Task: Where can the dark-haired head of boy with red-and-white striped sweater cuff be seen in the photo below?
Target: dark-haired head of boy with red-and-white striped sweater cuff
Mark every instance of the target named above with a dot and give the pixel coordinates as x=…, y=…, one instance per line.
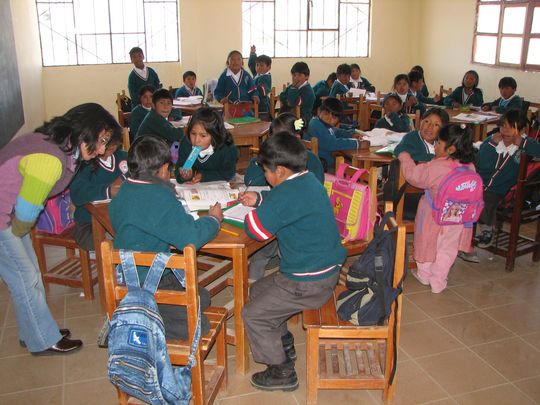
x=280, y=156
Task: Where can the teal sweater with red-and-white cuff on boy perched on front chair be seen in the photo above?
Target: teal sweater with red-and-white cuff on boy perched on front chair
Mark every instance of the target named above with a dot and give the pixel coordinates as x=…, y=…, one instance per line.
x=299, y=214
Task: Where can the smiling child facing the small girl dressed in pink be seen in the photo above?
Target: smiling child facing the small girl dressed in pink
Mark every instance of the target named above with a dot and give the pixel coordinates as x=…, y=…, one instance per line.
x=420, y=144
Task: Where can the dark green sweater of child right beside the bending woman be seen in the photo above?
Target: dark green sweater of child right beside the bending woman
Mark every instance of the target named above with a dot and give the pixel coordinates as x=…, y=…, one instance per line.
x=92, y=183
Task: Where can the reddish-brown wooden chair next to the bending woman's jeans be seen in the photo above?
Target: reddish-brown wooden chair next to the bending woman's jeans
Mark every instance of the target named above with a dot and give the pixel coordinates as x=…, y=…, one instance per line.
x=74, y=271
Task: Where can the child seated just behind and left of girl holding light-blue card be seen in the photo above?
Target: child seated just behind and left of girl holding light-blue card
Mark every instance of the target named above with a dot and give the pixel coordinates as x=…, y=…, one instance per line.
x=156, y=121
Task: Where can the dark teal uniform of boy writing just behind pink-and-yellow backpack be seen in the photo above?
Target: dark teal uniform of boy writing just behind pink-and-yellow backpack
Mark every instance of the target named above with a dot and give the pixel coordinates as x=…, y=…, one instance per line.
x=330, y=139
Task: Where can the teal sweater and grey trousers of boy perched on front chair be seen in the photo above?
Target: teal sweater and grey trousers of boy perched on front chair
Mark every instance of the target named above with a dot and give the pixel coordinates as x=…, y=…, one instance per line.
x=311, y=256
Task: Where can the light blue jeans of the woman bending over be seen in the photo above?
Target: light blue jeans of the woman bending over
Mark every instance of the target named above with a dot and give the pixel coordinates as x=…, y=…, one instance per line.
x=19, y=270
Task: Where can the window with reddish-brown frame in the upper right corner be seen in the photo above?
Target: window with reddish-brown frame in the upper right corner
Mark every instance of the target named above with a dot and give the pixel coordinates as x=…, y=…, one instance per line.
x=508, y=34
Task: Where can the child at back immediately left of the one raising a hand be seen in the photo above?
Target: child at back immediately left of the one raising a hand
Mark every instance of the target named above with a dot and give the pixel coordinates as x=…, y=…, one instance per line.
x=235, y=85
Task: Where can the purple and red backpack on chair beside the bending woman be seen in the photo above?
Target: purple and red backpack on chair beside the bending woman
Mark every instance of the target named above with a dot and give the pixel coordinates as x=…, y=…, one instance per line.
x=57, y=215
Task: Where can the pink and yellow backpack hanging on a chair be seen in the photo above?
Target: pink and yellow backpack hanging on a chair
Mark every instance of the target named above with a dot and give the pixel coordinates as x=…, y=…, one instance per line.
x=350, y=202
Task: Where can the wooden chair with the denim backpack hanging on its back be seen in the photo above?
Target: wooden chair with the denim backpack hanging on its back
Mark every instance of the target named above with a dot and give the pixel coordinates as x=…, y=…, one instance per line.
x=206, y=378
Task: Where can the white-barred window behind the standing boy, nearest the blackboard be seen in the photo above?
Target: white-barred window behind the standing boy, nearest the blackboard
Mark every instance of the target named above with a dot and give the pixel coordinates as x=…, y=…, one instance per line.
x=83, y=32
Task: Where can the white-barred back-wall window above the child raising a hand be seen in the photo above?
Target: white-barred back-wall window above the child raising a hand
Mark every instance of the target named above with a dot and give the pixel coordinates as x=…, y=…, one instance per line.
x=306, y=28
